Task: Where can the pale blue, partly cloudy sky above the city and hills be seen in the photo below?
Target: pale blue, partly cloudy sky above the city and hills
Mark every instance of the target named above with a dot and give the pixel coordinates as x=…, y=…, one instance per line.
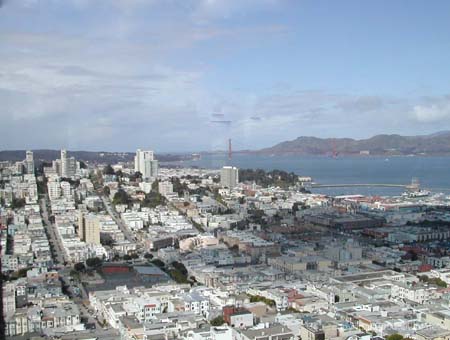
x=186, y=75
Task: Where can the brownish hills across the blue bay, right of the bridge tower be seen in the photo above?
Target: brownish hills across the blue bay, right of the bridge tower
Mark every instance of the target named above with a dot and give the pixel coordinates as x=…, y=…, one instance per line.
x=434, y=144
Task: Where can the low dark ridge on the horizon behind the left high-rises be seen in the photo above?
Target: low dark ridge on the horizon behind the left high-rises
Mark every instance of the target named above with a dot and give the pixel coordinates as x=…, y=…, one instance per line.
x=87, y=156
